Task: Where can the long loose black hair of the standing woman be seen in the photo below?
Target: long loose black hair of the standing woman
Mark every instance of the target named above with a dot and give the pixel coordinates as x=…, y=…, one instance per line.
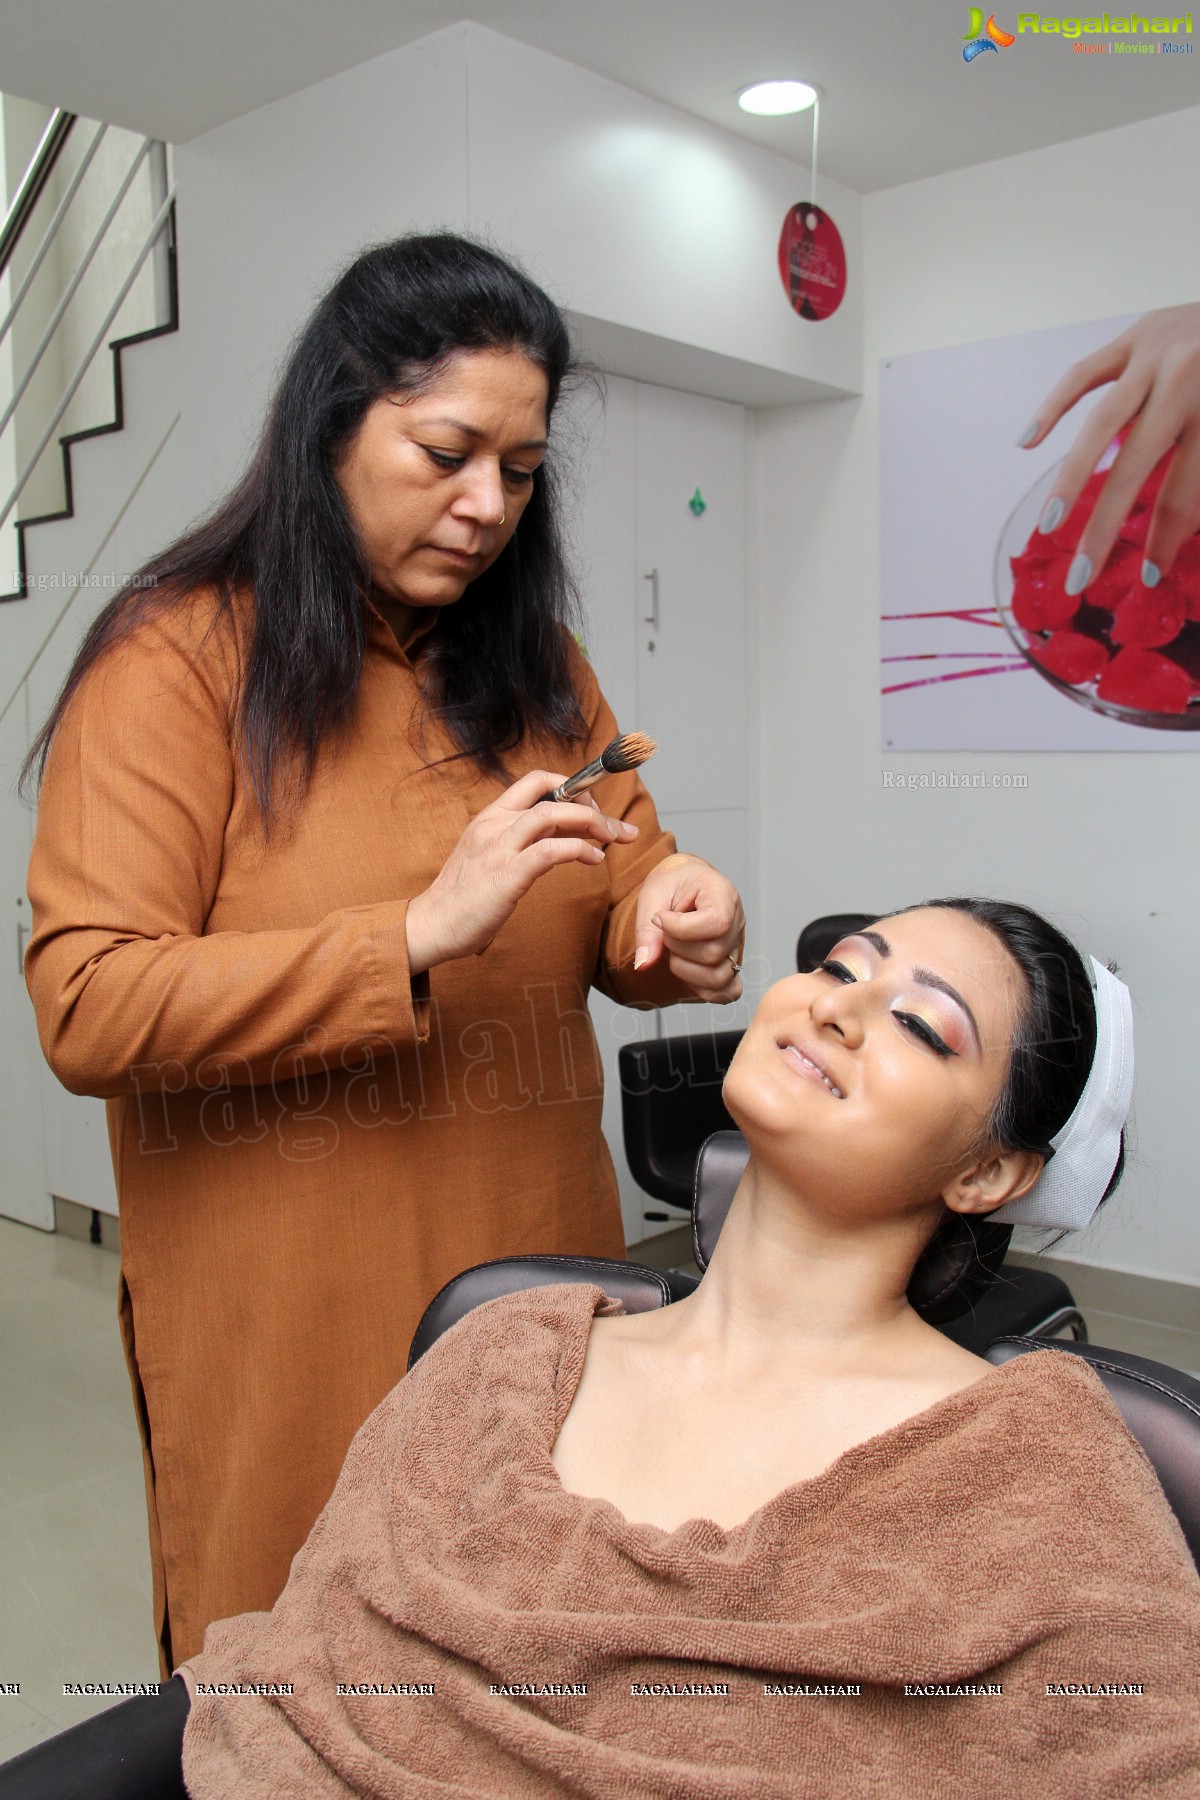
x=497, y=669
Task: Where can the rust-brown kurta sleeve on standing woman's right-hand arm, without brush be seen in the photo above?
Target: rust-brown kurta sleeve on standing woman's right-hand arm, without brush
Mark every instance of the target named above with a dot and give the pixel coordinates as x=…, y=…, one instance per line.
x=629, y=865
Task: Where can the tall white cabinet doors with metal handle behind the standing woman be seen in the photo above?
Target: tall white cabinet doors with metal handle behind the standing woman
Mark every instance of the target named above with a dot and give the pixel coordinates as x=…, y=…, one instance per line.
x=667, y=633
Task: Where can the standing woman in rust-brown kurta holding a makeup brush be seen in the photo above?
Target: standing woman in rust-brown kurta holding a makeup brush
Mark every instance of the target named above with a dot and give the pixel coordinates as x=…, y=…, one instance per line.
x=303, y=919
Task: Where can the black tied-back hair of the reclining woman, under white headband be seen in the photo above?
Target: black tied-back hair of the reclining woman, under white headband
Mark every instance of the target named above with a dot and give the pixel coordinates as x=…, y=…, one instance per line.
x=1050, y=1063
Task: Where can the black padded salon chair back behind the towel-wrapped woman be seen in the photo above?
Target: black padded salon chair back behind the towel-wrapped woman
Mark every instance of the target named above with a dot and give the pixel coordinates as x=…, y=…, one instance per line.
x=1160, y=1405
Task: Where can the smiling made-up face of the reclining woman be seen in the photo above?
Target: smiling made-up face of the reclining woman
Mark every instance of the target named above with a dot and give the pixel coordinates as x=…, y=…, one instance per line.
x=870, y=1081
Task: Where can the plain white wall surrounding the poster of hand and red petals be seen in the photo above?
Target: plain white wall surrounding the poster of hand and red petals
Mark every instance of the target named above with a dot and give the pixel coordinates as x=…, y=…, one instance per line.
x=1106, y=843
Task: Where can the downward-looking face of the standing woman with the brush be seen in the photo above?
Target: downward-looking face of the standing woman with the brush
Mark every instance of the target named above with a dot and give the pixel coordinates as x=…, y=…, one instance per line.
x=436, y=481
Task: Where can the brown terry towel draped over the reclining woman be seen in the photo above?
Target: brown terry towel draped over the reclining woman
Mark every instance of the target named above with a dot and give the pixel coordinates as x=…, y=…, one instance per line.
x=1014, y=1534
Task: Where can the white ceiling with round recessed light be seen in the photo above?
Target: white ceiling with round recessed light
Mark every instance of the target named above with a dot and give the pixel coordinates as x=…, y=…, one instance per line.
x=899, y=100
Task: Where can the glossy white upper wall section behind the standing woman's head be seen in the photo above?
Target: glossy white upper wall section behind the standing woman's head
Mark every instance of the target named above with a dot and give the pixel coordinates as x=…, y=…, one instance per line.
x=656, y=229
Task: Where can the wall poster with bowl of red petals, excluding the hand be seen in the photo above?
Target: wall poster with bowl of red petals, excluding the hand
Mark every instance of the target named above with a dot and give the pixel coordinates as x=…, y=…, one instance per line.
x=981, y=647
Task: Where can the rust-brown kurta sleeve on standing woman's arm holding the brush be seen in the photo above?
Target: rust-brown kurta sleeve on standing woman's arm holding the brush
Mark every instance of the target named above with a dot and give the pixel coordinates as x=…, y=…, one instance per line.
x=138, y=795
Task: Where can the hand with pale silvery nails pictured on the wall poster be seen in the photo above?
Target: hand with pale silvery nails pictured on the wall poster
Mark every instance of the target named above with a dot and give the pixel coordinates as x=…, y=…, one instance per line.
x=1154, y=370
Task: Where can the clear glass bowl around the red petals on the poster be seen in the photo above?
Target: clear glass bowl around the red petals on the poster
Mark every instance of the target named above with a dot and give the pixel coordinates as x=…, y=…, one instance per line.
x=1093, y=622
